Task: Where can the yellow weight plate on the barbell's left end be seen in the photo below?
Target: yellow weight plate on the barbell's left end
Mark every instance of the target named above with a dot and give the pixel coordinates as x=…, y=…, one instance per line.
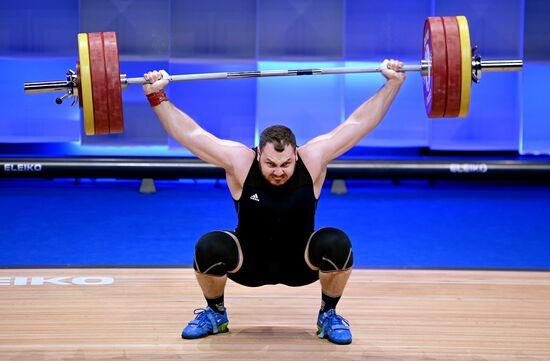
x=86, y=84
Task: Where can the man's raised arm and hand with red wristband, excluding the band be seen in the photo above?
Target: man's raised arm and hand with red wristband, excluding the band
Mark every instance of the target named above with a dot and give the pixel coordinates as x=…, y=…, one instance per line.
x=206, y=146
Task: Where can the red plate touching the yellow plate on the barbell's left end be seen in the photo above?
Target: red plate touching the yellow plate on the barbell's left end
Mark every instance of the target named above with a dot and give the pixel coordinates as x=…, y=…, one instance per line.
x=99, y=83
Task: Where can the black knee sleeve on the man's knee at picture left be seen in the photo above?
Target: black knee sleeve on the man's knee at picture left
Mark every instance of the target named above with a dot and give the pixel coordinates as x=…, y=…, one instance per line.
x=216, y=253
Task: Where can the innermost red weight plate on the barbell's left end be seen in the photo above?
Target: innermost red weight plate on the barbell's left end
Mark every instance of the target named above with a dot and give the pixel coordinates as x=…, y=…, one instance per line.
x=114, y=90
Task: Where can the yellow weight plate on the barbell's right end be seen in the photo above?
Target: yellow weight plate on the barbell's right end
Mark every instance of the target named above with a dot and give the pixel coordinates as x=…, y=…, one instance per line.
x=466, y=54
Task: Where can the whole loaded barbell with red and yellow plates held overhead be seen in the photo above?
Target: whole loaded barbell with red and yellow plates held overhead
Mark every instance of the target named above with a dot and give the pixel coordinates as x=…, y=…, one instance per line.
x=448, y=67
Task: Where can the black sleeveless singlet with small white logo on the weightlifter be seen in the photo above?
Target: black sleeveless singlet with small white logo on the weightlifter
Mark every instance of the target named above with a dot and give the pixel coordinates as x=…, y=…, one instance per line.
x=275, y=223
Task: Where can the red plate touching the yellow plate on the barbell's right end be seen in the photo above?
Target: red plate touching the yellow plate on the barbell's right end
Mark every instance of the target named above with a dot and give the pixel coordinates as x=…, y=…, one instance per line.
x=454, y=66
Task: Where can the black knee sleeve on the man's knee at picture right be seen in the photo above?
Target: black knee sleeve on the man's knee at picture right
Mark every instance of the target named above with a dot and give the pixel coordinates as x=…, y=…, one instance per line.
x=329, y=249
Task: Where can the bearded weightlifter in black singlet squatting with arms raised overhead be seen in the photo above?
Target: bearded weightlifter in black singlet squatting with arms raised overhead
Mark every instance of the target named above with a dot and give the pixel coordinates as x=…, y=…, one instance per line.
x=275, y=187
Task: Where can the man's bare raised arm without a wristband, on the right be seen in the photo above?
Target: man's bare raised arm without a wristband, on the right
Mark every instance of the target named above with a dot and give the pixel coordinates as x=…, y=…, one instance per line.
x=364, y=119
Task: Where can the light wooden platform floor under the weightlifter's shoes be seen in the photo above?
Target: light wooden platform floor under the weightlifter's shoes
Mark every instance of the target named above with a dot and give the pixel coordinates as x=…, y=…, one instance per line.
x=394, y=315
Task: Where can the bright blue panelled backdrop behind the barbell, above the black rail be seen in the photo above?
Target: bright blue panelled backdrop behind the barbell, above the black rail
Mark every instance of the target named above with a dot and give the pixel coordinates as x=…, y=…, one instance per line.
x=38, y=42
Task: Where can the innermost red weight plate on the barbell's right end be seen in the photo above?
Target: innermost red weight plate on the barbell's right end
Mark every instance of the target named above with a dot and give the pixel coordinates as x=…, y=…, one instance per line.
x=435, y=82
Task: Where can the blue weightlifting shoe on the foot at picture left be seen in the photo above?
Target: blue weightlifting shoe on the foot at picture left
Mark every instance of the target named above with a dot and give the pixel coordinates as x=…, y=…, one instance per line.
x=207, y=322
